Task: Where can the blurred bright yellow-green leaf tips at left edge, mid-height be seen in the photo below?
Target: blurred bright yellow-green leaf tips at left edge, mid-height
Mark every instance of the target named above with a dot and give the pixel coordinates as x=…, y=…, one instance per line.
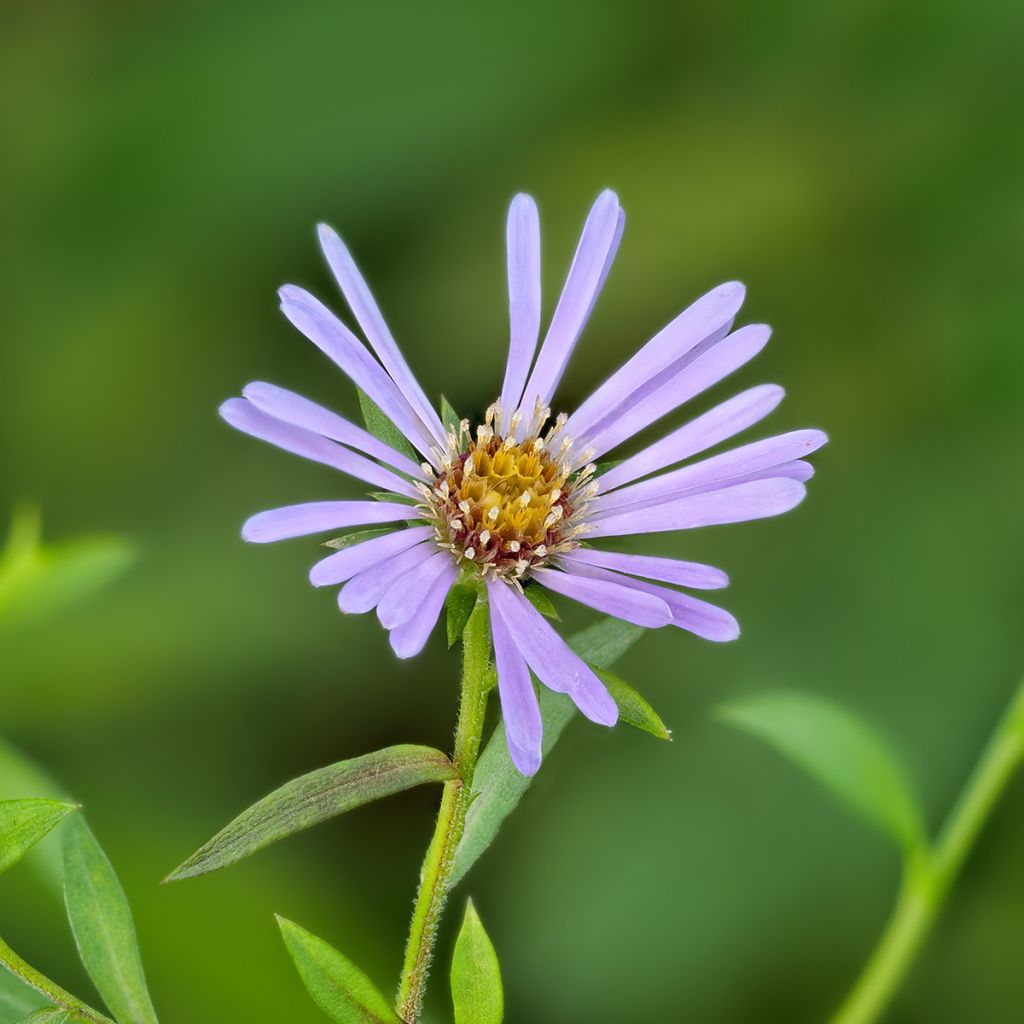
x=38, y=581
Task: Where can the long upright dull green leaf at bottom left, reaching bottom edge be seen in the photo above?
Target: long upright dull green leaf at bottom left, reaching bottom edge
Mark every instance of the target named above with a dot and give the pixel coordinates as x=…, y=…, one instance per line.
x=102, y=923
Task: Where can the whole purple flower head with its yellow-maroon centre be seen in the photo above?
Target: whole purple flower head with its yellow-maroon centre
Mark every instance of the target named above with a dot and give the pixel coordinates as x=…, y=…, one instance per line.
x=521, y=501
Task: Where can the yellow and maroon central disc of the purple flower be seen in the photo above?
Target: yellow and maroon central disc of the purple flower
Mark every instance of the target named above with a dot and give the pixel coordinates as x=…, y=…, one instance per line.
x=503, y=504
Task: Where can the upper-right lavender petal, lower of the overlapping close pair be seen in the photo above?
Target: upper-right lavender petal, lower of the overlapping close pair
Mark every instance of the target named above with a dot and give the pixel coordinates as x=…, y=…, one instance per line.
x=660, y=397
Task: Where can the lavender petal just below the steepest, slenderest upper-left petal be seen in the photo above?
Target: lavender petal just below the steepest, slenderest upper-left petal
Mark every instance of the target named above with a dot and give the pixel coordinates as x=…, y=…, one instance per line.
x=331, y=336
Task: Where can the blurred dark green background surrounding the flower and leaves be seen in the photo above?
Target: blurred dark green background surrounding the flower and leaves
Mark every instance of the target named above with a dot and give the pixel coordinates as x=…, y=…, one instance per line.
x=859, y=165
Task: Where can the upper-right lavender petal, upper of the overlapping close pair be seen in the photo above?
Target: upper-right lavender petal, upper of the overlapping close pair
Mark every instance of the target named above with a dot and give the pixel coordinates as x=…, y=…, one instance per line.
x=703, y=319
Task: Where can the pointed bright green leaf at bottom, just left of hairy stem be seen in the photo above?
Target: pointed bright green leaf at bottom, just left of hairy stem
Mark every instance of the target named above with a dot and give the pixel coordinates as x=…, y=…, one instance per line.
x=336, y=985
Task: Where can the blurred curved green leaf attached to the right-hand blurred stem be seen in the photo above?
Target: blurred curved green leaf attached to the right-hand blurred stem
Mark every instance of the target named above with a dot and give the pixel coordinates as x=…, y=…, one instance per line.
x=839, y=749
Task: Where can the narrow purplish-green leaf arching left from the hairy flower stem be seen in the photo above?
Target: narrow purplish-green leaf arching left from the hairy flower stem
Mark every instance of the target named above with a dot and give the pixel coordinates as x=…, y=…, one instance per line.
x=321, y=795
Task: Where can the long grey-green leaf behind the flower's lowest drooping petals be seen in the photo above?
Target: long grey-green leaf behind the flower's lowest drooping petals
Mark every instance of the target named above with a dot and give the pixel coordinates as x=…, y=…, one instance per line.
x=498, y=788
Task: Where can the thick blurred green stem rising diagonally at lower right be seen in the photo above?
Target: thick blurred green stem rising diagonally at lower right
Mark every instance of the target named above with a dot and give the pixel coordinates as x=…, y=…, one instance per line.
x=929, y=877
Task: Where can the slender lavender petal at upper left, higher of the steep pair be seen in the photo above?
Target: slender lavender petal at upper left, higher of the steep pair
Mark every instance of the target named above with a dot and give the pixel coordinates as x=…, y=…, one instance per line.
x=368, y=315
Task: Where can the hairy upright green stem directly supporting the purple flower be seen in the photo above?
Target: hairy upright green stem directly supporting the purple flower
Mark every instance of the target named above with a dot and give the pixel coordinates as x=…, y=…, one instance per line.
x=436, y=875
